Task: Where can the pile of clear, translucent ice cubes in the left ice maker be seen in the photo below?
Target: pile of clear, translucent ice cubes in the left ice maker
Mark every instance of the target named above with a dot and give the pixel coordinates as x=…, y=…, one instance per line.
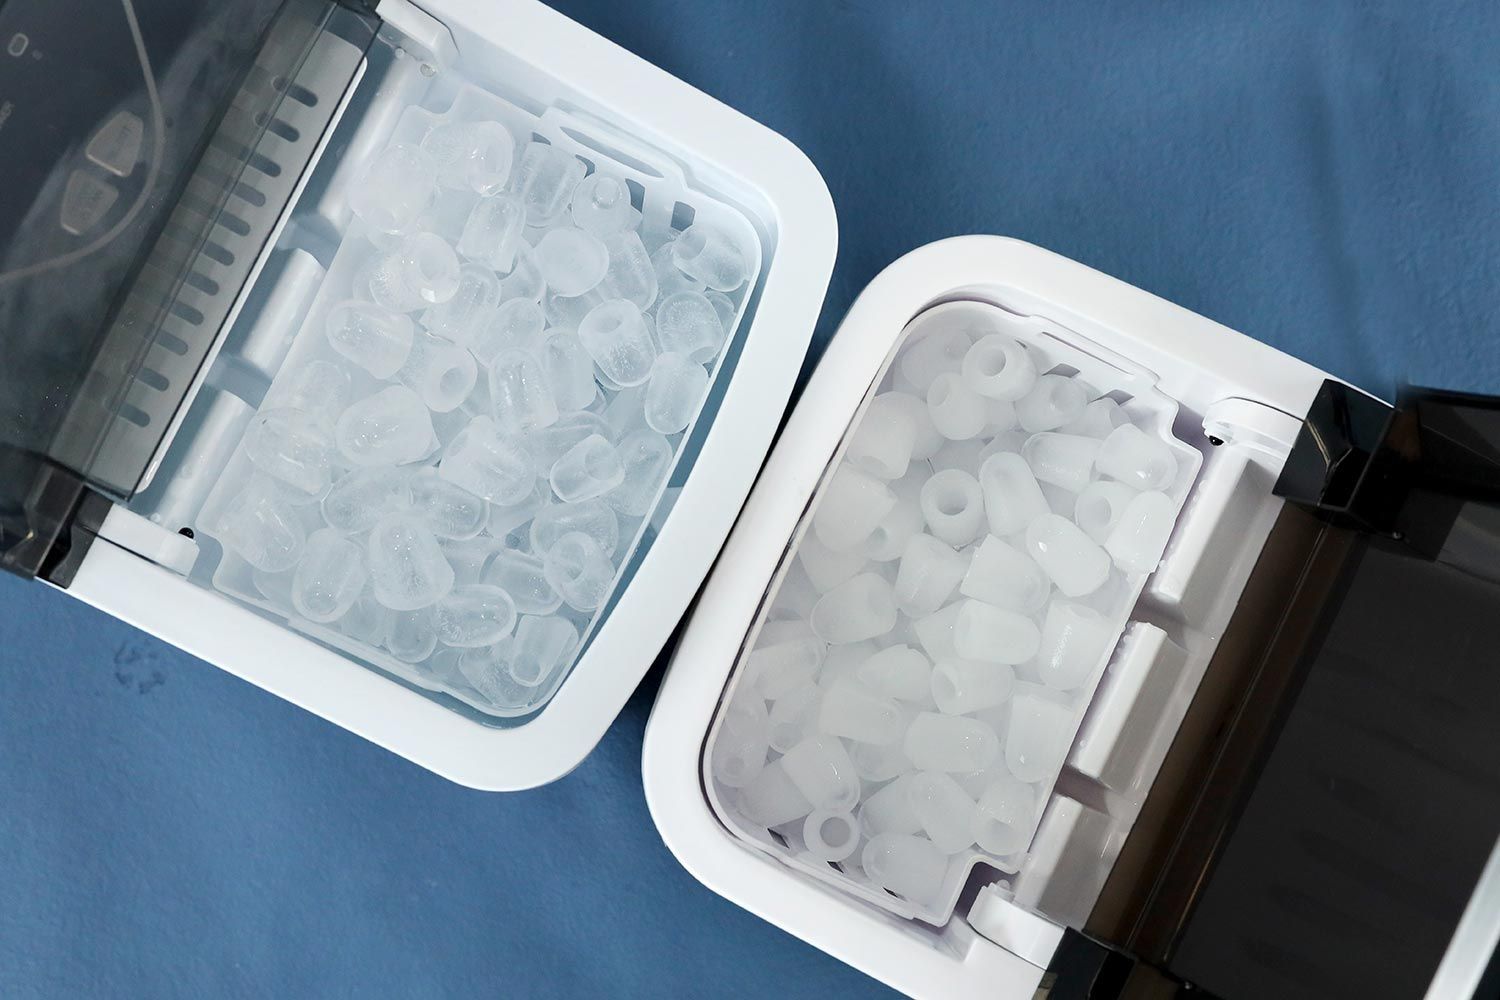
x=461, y=479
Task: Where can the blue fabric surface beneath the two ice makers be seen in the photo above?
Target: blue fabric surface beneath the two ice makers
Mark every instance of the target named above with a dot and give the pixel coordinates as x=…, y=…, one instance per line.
x=1322, y=176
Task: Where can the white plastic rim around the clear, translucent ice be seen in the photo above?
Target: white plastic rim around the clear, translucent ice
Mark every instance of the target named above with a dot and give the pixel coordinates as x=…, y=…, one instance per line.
x=536, y=46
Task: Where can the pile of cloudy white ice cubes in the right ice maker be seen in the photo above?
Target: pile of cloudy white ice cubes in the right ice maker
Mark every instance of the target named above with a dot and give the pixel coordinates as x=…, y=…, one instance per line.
x=929, y=654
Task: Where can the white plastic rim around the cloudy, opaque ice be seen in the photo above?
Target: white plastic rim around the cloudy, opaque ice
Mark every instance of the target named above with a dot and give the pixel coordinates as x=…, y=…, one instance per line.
x=1195, y=361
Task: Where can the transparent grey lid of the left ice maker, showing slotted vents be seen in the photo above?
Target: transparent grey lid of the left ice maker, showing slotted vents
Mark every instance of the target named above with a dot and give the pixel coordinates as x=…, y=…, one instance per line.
x=143, y=149
